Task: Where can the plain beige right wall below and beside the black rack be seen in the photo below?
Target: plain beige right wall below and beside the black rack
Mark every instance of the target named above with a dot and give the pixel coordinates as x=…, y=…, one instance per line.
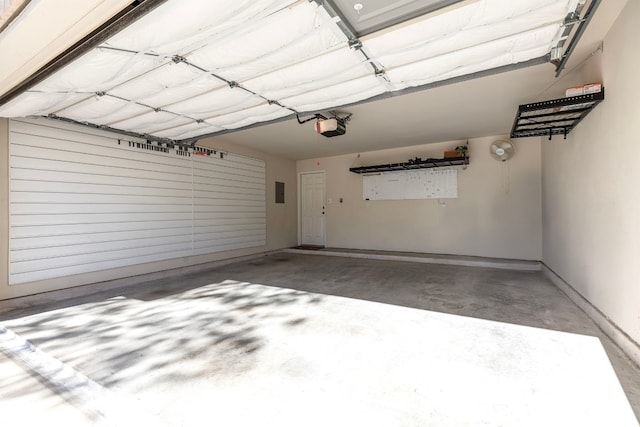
x=591, y=204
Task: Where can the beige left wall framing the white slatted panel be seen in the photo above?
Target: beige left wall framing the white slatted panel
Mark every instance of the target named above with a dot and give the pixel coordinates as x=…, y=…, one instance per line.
x=281, y=227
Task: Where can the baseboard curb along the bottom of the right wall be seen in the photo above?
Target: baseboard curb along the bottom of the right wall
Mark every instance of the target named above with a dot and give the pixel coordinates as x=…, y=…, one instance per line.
x=613, y=331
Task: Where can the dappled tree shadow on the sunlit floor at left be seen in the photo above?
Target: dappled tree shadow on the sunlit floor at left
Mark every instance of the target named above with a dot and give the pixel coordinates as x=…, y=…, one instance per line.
x=166, y=333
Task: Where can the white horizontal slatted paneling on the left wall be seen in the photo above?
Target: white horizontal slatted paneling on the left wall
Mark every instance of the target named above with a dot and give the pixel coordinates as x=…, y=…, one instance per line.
x=83, y=200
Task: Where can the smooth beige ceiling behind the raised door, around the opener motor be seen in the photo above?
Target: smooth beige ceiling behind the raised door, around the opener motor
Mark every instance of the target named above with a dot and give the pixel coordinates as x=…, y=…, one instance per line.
x=475, y=108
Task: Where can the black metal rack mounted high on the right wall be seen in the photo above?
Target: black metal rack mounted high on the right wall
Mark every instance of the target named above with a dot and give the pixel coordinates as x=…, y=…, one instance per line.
x=553, y=117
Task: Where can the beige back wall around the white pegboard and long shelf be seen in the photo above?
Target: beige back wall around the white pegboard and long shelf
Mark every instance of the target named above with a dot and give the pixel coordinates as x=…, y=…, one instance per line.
x=497, y=213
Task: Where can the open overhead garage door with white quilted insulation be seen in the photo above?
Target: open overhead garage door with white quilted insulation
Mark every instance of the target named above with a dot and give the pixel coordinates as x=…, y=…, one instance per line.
x=192, y=68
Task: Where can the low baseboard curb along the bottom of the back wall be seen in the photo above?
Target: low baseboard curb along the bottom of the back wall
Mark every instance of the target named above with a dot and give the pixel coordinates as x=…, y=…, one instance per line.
x=485, y=263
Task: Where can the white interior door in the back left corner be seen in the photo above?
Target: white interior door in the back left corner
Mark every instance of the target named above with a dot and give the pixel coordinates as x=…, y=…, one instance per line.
x=312, y=217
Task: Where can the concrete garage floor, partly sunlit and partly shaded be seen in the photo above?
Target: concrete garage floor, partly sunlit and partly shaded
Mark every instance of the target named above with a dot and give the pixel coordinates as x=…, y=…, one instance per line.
x=175, y=350
